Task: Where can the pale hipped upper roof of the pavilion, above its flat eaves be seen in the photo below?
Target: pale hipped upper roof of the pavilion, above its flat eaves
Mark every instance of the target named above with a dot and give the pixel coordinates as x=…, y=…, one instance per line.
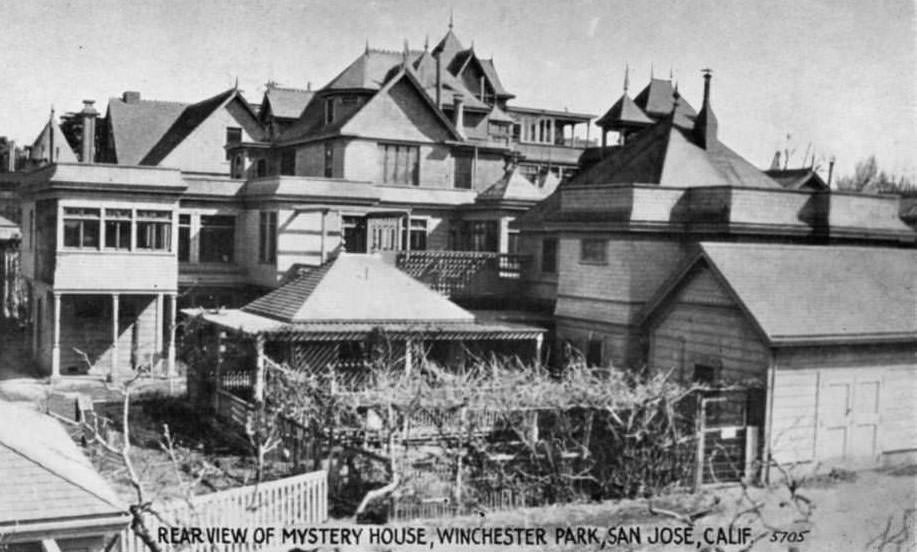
x=356, y=288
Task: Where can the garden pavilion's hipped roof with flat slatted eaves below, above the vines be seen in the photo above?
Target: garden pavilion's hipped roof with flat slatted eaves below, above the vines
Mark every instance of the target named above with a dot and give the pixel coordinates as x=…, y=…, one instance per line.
x=328, y=315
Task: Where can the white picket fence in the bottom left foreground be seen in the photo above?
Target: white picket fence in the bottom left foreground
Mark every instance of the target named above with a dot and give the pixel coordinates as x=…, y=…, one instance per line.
x=297, y=500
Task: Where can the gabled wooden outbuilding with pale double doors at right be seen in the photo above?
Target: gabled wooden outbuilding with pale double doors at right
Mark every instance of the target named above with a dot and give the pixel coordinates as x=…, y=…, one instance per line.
x=830, y=332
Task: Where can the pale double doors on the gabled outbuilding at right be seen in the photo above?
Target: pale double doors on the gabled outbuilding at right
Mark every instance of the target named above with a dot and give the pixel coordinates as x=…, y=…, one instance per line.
x=848, y=413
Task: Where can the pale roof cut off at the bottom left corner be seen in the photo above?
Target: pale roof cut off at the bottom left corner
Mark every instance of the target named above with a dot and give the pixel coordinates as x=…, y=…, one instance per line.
x=46, y=478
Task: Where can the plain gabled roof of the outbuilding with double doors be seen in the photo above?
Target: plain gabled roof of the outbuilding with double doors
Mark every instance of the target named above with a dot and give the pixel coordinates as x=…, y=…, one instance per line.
x=807, y=294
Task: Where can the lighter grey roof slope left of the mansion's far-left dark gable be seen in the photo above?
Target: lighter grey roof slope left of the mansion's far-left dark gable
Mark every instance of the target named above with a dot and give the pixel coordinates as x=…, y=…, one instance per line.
x=137, y=126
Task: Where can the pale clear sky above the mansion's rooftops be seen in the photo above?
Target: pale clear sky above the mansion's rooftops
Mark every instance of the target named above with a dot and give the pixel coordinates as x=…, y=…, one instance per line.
x=833, y=77
